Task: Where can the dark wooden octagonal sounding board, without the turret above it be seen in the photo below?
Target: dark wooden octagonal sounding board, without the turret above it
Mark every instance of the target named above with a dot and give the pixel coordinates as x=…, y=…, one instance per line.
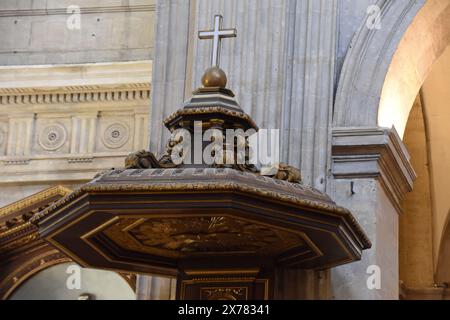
x=162, y=221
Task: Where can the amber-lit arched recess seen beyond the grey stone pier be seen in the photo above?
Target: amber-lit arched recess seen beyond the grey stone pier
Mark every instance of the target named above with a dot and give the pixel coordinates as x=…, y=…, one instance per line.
x=425, y=234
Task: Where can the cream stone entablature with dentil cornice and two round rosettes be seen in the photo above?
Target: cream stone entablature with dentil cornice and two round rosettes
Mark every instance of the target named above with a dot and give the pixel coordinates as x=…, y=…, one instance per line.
x=65, y=124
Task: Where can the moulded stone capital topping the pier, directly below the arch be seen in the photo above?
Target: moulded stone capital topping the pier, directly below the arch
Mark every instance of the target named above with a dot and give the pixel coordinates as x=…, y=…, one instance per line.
x=373, y=153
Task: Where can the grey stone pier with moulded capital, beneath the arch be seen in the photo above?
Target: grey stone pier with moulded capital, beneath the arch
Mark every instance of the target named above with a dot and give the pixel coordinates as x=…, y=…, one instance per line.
x=372, y=173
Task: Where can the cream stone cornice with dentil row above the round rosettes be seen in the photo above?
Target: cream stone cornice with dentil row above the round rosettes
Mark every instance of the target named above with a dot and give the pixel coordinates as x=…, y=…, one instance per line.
x=80, y=83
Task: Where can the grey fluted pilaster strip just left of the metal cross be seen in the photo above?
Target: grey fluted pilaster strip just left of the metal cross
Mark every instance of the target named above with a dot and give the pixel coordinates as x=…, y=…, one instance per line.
x=169, y=66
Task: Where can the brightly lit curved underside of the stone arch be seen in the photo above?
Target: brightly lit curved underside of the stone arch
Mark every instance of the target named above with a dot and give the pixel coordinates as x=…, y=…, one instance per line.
x=419, y=49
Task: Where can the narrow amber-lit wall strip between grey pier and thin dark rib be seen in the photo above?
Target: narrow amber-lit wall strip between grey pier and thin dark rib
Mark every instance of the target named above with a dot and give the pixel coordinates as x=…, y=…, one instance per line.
x=416, y=227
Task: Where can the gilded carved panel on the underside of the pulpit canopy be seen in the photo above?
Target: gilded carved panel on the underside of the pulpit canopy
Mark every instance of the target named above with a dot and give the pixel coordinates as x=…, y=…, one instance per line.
x=176, y=237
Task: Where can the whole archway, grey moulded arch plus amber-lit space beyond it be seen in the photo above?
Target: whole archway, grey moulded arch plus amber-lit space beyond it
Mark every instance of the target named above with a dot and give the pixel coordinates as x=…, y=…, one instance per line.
x=398, y=77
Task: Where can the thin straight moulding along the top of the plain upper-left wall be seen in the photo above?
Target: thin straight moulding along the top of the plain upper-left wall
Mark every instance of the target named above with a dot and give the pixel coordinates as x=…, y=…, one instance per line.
x=83, y=10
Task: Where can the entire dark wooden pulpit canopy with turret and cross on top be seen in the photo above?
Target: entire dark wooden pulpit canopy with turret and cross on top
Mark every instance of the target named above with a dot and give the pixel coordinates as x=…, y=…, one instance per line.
x=221, y=227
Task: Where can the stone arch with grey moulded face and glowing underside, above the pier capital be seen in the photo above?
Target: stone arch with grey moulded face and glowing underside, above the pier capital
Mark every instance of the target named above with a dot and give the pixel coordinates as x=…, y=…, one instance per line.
x=384, y=69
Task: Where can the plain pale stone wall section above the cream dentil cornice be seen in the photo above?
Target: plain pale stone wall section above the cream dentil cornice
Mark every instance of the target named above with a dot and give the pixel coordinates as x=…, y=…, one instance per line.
x=46, y=31
